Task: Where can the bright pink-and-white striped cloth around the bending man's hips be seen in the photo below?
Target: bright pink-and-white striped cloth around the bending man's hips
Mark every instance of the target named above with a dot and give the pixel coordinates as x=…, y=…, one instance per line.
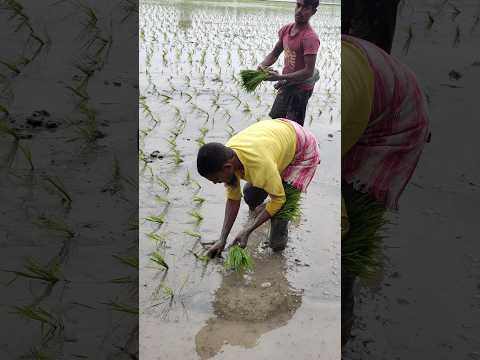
x=305, y=161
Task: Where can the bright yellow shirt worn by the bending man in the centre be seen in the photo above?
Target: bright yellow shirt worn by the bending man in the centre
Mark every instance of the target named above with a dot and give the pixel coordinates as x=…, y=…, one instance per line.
x=265, y=149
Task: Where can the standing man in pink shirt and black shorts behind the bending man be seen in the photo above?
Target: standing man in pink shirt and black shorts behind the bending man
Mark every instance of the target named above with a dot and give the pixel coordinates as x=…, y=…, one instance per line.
x=295, y=85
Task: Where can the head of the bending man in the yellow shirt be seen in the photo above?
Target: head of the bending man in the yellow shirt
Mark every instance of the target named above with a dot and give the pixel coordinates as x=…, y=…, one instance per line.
x=216, y=162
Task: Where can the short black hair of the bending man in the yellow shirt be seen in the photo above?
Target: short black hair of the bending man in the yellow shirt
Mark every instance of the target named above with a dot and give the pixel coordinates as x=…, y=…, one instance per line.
x=211, y=158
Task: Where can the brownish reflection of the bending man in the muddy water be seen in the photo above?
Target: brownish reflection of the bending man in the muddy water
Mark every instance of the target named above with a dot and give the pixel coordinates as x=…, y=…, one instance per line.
x=248, y=306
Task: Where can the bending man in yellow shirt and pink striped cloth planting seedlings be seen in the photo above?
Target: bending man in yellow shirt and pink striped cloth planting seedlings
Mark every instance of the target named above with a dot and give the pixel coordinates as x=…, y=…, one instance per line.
x=266, y=155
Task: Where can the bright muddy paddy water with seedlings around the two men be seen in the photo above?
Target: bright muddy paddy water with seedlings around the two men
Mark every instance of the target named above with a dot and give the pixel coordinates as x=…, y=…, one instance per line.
x=289, y=306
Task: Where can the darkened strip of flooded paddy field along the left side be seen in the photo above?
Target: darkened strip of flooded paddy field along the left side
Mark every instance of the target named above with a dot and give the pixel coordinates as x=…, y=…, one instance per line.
x=67, y=198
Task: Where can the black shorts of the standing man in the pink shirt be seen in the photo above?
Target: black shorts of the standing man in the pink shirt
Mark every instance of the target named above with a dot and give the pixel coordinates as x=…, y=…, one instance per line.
x=291, y=103
